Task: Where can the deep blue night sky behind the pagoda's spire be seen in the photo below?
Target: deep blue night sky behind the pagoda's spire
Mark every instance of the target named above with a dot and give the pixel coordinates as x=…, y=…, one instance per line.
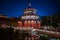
x=14, y=8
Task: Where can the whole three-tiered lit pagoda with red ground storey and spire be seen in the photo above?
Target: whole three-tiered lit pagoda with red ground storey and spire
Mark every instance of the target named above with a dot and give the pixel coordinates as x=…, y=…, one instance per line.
x=30, y=18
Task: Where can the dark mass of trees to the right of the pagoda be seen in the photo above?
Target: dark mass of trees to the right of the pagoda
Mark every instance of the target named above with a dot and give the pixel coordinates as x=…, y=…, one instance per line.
x=51, y=20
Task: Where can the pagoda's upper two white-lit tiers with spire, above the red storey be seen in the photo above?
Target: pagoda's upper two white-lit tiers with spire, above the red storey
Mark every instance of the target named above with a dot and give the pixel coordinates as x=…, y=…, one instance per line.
x=30, y=13
